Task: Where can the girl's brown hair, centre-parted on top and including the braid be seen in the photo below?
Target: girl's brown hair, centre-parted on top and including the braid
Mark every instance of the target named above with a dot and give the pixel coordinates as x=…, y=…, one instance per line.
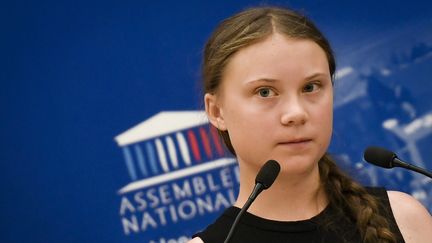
x=254, y=25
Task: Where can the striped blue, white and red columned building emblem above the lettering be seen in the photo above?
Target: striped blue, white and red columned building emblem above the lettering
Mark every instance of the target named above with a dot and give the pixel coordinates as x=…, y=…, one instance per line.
x=168, y=146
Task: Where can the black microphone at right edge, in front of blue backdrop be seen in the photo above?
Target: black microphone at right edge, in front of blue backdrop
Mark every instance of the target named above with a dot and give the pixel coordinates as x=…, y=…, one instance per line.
x=388, y=159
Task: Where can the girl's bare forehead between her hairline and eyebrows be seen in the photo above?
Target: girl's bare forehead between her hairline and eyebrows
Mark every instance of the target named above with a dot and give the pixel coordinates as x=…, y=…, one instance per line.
x=276, y=57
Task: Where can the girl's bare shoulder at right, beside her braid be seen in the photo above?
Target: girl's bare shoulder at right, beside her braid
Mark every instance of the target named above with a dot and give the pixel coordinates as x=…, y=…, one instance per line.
x=414, y=221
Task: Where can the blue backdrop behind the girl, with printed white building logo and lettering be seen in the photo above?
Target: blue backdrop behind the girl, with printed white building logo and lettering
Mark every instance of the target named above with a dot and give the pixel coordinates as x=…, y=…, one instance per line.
x=84, y=82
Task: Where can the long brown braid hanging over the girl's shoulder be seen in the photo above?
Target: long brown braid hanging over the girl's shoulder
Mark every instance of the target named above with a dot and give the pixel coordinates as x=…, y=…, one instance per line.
x=355, y=202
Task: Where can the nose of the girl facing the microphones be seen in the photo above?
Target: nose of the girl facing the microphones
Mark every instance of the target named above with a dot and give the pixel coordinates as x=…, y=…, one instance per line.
x=293, y=113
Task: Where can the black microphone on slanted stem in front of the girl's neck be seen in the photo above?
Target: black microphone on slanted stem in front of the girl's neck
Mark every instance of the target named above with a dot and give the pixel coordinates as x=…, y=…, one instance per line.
x=264, y=179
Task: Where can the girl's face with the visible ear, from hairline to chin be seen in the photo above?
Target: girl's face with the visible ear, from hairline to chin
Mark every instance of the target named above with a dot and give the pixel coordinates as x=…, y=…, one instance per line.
x=276, y=102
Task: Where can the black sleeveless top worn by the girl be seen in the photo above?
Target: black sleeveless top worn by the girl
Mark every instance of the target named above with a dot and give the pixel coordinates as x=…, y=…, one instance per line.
x=253, y=229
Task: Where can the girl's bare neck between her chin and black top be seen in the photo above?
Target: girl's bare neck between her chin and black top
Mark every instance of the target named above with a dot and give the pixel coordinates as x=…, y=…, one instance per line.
x=290, y=198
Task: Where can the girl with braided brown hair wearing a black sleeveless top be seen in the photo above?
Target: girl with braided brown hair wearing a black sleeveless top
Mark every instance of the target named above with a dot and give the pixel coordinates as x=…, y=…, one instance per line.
x=268, y=80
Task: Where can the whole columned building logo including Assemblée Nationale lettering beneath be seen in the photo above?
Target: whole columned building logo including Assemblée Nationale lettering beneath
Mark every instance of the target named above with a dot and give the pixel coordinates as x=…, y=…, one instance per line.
x=178, y=167
